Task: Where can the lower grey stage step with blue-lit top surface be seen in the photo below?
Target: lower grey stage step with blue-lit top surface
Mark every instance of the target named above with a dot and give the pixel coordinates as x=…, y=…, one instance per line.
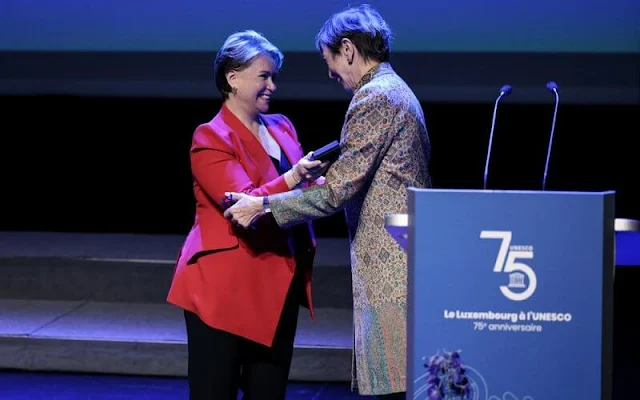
x=146, y=339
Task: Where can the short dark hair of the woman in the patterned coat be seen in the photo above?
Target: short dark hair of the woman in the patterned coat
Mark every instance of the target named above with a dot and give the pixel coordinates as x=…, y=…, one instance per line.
x=364, y=26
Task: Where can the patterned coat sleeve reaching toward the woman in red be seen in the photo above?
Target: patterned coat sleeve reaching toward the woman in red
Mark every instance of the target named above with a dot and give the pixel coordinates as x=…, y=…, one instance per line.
x=366, y=136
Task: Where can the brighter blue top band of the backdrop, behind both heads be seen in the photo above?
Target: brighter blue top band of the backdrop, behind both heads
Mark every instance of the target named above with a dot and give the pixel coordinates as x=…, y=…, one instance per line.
x=419, y=26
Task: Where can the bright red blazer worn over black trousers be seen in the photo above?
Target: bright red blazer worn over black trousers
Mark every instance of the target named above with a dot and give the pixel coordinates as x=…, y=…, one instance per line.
x=236, y=280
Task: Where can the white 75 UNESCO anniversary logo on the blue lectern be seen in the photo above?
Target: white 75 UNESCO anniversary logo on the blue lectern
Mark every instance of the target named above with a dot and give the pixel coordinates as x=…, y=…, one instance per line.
x=508, y=261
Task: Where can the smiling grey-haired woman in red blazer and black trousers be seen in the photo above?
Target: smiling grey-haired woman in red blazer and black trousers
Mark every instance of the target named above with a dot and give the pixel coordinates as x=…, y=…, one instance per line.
x=241, y=289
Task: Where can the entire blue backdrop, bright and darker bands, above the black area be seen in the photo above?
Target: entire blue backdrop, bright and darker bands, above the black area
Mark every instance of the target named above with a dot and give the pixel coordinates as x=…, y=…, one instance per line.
x=455, y=50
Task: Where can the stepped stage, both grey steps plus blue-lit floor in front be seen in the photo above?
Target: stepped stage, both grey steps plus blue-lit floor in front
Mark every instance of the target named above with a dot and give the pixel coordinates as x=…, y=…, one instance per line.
x=83, y=316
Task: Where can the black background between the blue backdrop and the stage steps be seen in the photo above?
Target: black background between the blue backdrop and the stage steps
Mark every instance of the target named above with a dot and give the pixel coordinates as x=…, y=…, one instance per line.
x=121, y=164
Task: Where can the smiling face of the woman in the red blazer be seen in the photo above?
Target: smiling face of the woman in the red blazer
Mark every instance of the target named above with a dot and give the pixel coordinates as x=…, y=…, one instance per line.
x=255, y=84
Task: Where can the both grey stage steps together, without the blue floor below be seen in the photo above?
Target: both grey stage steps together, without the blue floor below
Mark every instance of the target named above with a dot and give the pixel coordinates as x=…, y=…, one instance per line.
x=96, y=303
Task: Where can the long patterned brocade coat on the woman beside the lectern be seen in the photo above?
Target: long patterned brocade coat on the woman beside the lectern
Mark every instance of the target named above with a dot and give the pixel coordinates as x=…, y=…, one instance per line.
x=384, y=149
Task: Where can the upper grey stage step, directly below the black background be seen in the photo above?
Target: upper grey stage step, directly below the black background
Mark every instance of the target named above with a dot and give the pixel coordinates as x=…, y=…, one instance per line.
x=129, y=268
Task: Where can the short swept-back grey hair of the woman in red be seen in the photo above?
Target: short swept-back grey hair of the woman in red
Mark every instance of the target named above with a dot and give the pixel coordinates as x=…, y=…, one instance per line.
x=237, y=52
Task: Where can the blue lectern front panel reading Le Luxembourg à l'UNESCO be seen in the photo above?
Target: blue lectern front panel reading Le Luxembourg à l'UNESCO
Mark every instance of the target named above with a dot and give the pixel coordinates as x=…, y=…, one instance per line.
x=520, y=282
